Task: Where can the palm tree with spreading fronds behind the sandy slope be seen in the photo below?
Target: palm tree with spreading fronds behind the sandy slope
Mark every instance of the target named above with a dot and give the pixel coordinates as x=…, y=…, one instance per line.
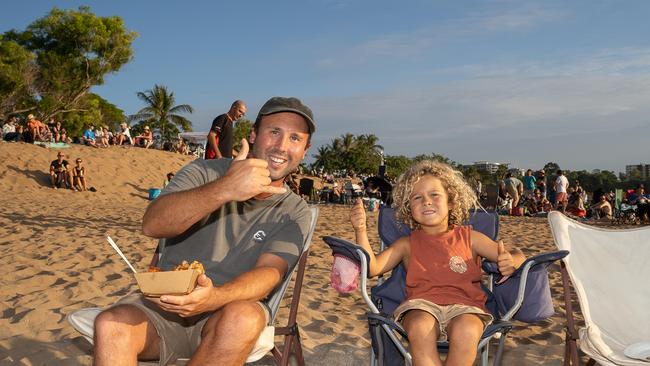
x=161, y=113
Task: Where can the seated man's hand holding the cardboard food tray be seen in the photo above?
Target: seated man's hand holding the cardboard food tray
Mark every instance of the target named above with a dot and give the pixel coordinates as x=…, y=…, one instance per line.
x=196, y=302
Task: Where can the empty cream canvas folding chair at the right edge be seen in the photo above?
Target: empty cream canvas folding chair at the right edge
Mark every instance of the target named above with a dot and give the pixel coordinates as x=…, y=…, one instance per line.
x=609, y=270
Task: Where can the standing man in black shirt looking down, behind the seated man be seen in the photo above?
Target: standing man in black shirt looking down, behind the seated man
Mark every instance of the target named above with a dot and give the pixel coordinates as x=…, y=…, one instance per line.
x=221, y=133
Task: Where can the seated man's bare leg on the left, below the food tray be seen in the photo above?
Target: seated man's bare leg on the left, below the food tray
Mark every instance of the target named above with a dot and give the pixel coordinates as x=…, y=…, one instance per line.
x=122, y=334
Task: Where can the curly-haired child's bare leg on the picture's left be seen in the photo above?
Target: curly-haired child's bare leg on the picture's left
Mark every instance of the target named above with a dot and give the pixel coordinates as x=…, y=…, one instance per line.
x=423, y=332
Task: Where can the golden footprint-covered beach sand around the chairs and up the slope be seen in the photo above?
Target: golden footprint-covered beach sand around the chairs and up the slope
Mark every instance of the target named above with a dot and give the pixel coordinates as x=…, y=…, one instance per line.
x=54, y=259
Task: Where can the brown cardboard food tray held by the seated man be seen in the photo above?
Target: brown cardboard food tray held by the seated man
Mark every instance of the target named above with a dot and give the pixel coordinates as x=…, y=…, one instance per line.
x=156, y=284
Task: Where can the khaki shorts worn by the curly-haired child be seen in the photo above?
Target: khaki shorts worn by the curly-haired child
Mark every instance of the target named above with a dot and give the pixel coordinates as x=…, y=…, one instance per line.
x=443, y=313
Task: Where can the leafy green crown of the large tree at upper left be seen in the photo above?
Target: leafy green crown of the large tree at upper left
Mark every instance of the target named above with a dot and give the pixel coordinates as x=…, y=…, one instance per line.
x=72, y=50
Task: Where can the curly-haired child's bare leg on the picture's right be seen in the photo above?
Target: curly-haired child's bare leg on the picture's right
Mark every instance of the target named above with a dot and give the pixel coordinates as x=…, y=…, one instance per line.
x=464, y=333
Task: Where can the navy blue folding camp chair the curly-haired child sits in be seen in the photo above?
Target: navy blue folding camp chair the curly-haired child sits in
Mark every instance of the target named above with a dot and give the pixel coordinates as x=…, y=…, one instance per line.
x=388, y=337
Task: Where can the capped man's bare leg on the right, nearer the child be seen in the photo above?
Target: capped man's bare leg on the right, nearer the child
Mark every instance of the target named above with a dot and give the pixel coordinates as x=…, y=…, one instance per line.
x=230, y=334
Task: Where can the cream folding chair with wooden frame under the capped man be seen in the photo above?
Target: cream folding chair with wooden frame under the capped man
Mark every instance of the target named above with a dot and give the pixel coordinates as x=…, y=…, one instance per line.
x=83, y=320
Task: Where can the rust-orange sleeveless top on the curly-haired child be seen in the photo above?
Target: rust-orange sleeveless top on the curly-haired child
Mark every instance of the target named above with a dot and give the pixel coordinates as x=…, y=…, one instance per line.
x=442, y=269
